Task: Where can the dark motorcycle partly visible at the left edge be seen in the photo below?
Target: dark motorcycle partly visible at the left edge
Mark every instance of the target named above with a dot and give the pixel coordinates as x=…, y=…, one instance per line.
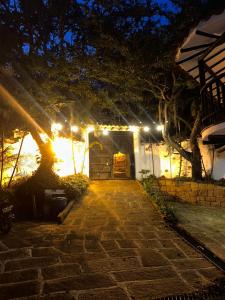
x=6, y=215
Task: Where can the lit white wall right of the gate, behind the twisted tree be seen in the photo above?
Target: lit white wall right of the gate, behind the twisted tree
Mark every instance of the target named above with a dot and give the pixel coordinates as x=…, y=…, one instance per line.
x=168, y=164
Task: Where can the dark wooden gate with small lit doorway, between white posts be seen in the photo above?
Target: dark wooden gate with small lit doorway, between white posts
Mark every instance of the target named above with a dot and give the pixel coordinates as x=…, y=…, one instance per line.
x=111, y=156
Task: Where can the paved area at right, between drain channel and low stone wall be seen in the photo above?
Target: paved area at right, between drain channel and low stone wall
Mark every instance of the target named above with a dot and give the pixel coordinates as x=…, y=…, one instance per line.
x=206, y=224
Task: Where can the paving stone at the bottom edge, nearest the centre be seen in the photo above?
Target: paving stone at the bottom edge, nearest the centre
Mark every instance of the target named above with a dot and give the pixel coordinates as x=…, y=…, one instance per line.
x=109, y=294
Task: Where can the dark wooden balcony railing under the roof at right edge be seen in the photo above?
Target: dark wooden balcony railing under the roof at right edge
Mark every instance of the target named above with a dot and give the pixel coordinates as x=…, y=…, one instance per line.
x=213, y=102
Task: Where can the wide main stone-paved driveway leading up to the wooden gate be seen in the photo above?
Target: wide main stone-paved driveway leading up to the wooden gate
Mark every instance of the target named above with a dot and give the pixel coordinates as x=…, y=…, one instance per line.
x=114, y=246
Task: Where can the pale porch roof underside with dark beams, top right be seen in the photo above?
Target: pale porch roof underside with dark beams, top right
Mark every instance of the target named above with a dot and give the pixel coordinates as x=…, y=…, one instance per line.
x=209, y=33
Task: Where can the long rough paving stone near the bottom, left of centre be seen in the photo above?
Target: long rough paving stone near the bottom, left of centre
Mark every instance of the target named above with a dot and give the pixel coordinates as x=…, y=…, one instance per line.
x=83, y=282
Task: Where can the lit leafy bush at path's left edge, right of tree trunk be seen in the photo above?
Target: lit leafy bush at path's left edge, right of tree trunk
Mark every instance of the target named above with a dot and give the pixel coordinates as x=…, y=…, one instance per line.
x=74, y=185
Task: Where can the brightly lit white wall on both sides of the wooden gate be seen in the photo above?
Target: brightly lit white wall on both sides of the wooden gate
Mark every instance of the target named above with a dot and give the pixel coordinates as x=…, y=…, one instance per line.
x=73, y=157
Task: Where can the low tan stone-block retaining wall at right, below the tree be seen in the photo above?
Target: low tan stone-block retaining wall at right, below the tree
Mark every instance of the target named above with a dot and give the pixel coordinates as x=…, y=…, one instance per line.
x=195, y=193
